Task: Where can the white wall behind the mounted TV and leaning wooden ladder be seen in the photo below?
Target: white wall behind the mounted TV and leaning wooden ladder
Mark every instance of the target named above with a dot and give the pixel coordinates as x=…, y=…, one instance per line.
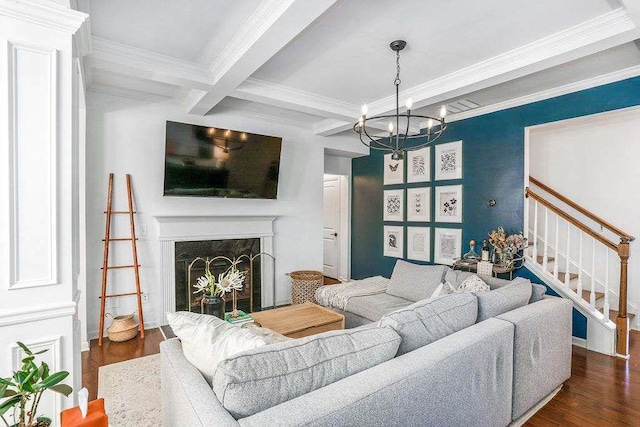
x=128, y=136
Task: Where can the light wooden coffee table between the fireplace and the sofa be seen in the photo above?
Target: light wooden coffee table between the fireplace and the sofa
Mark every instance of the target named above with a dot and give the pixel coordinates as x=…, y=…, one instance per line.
x=300, y=320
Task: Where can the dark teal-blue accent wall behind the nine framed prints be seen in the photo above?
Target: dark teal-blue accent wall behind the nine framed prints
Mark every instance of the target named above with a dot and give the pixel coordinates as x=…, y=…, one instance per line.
x=493, y=168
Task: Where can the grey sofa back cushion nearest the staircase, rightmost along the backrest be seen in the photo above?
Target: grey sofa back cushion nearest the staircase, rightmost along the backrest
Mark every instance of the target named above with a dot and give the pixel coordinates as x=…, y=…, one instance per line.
x=506, y=298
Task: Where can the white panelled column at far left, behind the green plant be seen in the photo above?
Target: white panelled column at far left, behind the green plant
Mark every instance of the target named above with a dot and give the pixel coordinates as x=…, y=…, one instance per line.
x=39, y=201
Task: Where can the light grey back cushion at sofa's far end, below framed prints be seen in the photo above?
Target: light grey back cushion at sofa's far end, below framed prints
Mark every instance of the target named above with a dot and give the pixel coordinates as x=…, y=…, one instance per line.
x=415, y=282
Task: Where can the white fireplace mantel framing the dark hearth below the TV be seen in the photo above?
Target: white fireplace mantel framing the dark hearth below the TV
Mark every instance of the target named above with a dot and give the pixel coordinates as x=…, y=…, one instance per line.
x=180, y=228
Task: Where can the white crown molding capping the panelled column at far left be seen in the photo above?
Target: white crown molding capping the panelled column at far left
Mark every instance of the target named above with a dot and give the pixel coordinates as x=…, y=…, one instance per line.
x=45, y=13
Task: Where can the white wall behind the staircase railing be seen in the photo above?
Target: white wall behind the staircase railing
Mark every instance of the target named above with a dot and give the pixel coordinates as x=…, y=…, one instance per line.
x=594, y=161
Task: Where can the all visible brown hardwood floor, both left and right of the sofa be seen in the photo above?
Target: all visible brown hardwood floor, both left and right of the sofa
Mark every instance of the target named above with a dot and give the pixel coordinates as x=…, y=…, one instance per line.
x=602, y=390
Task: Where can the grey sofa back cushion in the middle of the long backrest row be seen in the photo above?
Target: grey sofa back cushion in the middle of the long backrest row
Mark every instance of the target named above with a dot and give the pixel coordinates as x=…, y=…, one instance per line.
x=429, y=320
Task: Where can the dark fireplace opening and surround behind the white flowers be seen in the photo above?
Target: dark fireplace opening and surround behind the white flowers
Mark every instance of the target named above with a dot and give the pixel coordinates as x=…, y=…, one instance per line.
x=248, y=299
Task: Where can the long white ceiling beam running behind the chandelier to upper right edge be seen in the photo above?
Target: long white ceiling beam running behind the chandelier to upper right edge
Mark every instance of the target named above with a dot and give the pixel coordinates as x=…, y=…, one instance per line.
x=598, y=34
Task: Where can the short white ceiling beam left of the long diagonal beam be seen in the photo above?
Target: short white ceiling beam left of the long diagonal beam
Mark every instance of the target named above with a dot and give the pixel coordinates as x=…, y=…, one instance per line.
x=125, y=59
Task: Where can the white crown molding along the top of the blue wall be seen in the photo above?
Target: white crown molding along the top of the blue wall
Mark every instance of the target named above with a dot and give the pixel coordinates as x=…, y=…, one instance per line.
x=548, y=94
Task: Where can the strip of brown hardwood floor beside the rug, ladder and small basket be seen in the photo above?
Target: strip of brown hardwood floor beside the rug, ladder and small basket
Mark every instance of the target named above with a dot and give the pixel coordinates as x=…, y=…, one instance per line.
x=114, y=352
